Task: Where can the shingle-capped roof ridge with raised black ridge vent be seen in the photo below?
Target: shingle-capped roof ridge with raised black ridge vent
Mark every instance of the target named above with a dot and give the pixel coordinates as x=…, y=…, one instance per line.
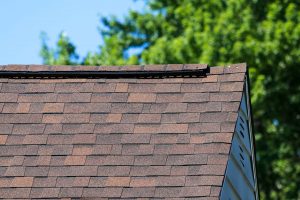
x=126, y=71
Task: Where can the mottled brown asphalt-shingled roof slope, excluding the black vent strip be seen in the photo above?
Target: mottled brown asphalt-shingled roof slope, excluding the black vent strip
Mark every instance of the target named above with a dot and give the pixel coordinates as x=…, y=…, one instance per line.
x=117, y=137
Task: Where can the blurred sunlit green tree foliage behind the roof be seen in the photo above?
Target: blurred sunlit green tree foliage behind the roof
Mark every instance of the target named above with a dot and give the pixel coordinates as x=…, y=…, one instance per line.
x=265, y=34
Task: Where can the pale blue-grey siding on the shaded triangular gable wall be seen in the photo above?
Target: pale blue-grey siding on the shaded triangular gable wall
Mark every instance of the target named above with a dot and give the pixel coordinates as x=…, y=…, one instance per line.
x=240, y=177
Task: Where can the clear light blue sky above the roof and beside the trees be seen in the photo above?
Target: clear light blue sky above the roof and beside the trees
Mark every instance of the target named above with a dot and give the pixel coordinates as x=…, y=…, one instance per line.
x=22, y=21
